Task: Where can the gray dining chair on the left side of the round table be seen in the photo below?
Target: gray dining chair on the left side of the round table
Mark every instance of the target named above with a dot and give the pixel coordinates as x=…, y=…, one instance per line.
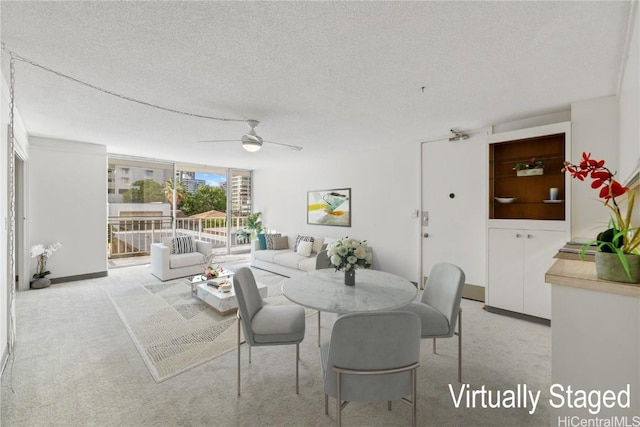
x=265, y=324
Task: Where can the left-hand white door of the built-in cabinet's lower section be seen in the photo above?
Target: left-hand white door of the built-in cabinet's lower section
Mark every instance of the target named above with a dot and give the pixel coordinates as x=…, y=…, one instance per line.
x=506, y=249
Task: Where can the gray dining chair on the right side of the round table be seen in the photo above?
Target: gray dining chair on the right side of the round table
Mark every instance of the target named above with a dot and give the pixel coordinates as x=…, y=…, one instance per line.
x=439, y=307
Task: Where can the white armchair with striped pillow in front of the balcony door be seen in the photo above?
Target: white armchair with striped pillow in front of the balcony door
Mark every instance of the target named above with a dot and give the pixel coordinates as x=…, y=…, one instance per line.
x=166, y=264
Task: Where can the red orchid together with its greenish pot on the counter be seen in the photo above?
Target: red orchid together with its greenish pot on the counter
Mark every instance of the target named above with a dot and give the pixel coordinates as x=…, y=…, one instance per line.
x=617, y=255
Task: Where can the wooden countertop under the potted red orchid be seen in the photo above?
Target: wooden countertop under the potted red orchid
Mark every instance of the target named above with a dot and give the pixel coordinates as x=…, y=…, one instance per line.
x=582, y=274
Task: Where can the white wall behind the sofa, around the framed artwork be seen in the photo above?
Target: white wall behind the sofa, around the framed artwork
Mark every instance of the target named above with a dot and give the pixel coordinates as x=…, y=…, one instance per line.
x=384, y=190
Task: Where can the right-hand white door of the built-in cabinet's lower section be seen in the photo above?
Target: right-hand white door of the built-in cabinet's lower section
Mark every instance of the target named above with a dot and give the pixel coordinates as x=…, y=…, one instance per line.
x=539, y=249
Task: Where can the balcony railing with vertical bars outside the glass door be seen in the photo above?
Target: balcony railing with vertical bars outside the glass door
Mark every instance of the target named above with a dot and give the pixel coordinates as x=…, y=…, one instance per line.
x=133, y=236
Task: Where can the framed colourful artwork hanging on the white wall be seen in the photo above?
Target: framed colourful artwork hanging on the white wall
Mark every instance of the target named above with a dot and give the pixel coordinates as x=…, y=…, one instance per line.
x=329, y=207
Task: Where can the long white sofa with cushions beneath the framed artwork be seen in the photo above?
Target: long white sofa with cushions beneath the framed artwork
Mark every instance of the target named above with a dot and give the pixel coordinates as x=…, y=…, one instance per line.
x=287, y=262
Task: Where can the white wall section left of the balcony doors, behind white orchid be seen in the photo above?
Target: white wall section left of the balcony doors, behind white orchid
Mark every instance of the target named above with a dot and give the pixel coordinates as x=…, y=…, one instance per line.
x=68, y=203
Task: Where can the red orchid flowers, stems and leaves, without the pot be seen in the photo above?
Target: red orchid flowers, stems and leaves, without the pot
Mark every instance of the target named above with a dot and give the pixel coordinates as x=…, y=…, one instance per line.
x=621, y=237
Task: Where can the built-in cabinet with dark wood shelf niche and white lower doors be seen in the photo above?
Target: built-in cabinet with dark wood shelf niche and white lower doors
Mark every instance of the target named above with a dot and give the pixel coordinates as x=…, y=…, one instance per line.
x=526, y=225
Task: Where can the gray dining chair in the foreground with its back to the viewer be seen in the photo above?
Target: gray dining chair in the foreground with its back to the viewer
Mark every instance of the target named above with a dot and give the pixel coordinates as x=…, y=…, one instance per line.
x=372, y=357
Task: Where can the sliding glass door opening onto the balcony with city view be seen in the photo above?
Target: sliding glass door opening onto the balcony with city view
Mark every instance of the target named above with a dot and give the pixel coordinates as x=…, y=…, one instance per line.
x=149, y=200
